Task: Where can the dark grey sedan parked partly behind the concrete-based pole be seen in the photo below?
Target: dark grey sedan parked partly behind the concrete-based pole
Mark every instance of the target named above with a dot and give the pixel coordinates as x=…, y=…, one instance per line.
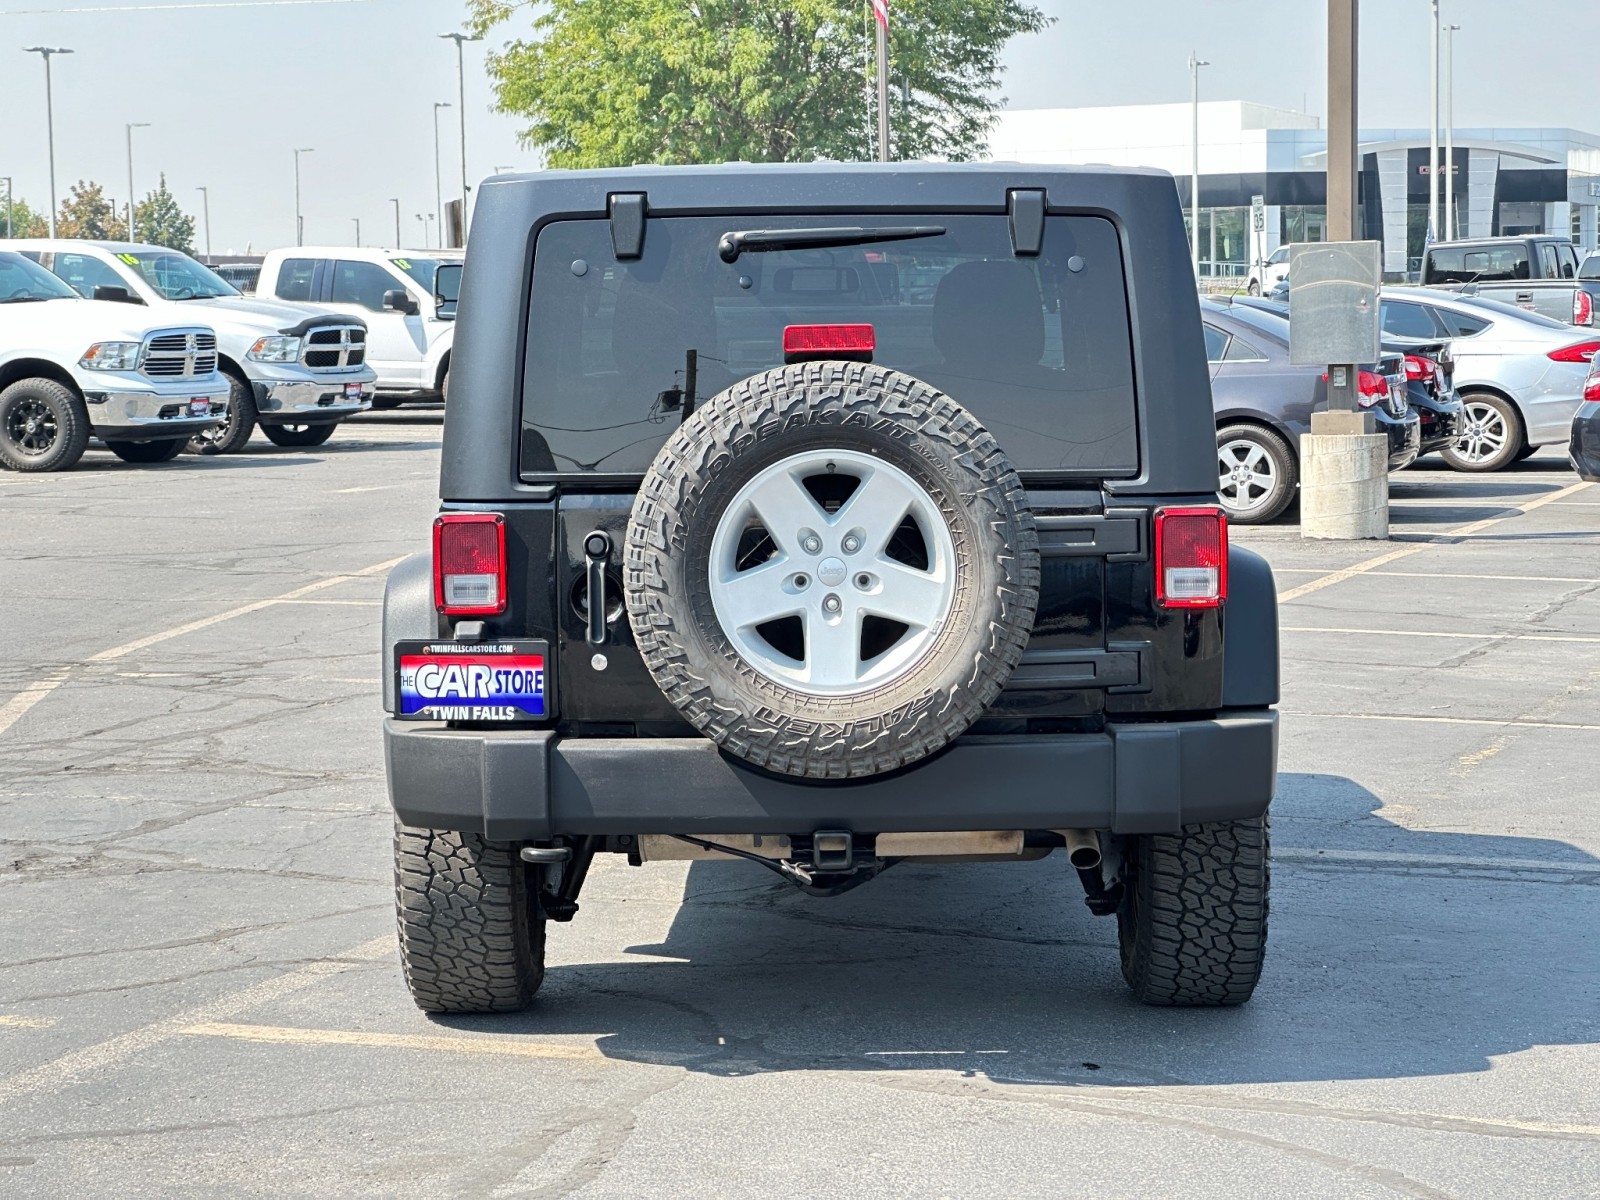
x=1263, y=406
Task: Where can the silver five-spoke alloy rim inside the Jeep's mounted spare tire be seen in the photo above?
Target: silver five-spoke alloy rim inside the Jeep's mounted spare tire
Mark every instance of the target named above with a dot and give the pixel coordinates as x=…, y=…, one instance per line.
x=833, y=572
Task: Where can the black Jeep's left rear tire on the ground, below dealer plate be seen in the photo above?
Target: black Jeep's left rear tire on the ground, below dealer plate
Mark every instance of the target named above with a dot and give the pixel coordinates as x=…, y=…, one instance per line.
x=471, y=927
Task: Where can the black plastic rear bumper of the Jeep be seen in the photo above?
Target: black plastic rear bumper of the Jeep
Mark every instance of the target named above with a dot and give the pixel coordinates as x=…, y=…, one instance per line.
x=530, y=785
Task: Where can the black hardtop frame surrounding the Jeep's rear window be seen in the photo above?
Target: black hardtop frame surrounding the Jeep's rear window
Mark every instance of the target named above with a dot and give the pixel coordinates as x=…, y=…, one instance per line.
x=486, y=375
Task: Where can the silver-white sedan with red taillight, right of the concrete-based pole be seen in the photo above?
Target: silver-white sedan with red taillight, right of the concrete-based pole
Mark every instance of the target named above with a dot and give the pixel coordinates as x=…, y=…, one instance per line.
x=1519, y=375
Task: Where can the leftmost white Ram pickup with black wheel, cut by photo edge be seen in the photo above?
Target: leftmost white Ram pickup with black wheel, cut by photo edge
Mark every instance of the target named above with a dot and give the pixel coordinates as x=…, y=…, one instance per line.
x=73, y=367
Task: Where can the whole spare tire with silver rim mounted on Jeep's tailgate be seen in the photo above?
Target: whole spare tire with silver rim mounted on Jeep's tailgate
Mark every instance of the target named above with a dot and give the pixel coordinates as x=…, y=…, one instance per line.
x=831, y=570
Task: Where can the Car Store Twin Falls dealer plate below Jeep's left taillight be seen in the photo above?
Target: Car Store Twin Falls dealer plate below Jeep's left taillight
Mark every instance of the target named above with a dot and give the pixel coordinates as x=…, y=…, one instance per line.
x=473, y=682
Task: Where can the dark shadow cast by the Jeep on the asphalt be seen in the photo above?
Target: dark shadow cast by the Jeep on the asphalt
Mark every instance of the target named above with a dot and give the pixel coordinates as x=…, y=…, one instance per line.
x=1404, y=954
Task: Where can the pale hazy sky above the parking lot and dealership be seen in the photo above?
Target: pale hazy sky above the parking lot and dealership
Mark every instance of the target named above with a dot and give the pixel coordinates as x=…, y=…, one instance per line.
x=231, y=94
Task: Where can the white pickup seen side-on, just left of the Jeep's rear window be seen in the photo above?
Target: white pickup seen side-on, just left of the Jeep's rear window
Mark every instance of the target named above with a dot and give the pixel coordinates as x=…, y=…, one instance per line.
x=412, y=326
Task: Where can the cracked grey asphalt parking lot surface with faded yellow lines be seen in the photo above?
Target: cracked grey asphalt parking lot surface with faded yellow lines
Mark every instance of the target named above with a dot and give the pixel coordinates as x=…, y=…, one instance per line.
x=199, y=991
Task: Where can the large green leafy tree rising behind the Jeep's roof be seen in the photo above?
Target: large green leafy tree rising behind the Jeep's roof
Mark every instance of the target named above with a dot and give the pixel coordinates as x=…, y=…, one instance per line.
x=618, y=82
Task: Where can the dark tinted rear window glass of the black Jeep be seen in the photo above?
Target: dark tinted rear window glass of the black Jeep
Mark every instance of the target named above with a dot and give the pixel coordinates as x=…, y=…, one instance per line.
x=1036, y=348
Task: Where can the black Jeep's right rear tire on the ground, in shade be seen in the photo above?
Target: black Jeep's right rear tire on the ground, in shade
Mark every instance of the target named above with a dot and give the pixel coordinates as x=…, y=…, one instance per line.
x=1194, y=916
